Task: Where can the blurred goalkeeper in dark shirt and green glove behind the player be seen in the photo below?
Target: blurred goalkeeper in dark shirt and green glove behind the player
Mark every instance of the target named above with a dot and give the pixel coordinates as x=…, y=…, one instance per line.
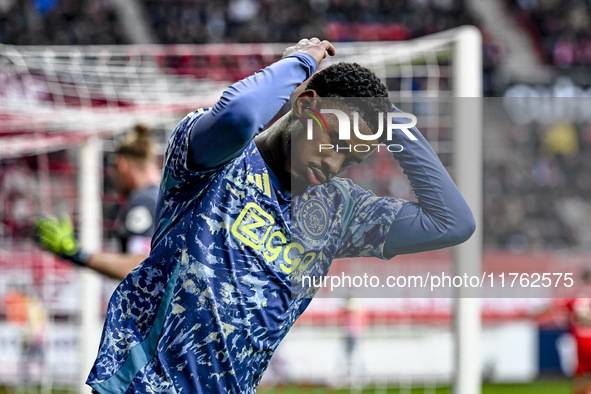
x=137, y=176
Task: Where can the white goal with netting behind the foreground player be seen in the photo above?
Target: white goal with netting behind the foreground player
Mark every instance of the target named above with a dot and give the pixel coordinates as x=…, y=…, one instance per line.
x=62, y=111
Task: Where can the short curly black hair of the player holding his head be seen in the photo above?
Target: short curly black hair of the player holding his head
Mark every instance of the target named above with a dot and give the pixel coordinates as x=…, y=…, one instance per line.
x=353, y=80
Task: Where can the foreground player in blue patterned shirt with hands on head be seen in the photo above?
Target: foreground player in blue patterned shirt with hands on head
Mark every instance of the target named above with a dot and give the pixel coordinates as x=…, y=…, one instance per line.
x=207, y=309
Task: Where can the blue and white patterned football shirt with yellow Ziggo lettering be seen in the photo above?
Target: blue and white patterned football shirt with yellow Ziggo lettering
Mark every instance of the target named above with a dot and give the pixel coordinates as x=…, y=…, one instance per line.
x=220, y=290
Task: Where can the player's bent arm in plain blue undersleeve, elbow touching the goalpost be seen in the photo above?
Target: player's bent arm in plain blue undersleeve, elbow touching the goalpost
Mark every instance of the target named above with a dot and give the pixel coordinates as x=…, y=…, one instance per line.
x=441, y=218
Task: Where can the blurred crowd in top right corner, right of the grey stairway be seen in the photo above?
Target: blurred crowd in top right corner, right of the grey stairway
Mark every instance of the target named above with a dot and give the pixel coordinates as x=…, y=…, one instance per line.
x=561, y=29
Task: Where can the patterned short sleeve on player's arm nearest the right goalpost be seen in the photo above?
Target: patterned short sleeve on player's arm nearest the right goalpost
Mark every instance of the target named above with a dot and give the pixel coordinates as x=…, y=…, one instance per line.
x=364, y=232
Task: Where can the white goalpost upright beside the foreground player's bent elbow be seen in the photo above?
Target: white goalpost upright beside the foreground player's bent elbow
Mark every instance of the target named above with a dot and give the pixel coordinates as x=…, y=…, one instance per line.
x=467, y=165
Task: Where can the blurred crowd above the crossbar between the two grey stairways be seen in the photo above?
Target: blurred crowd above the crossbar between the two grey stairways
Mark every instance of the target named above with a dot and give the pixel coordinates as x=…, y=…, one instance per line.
x=287, y=21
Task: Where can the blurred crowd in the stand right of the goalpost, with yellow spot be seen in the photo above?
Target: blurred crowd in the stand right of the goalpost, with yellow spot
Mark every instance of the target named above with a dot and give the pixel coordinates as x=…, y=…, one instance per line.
x=539, y=197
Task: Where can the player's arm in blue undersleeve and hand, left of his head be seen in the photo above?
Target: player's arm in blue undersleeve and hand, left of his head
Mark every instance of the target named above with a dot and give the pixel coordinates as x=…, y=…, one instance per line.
x=246, y=107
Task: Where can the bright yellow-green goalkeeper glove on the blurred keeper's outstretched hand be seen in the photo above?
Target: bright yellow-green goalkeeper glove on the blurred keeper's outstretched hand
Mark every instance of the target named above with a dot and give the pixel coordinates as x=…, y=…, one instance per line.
x=58, y=237
